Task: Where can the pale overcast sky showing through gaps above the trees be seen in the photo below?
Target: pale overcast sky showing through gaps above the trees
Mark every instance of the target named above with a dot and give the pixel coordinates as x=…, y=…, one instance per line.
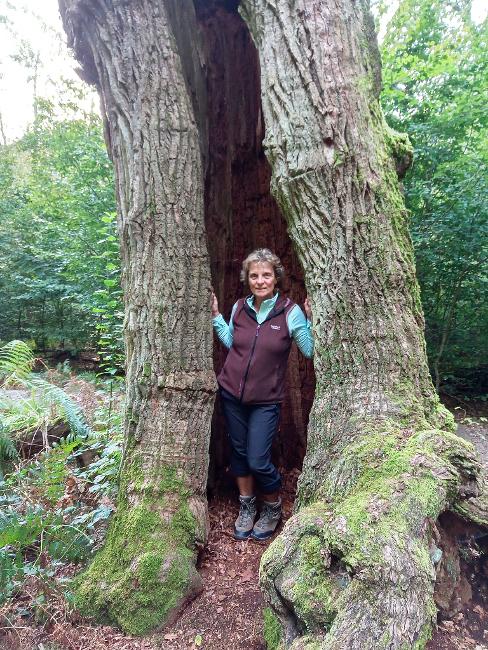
x=38, y=23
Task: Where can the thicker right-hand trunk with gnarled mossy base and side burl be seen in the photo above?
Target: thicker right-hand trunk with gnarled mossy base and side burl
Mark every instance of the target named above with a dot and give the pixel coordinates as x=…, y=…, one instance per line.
x=355, y=567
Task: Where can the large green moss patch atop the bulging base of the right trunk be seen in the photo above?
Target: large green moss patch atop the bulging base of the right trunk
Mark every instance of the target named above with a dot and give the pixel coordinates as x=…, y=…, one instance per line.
x=392, y=485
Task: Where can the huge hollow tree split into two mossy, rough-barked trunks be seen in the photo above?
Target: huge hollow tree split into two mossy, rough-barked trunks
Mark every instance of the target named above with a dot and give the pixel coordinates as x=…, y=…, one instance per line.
x=355, y=567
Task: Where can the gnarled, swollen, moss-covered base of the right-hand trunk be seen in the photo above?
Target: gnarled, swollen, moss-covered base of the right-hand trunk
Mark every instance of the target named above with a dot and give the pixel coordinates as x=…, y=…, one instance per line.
x=364, y=536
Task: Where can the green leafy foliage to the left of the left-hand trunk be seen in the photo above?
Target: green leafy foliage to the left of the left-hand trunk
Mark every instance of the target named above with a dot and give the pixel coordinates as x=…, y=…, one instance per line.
x=59, y=260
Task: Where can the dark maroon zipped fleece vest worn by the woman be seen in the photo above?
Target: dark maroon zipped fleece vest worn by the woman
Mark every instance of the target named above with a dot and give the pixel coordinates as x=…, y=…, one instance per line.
x=255, y=368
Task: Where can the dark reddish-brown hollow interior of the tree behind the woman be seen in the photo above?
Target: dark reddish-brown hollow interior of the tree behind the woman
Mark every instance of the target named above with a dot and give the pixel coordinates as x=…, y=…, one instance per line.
x=241, y=214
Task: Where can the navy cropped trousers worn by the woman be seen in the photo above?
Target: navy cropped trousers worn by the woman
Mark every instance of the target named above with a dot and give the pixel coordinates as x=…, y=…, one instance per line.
x=251, y=429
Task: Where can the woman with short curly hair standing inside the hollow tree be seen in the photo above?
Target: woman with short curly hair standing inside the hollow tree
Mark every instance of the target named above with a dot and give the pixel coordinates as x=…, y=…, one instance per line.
x=259, y=336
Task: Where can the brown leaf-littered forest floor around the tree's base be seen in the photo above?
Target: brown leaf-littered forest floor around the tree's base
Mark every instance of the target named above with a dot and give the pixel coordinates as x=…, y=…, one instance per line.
x=227, y=615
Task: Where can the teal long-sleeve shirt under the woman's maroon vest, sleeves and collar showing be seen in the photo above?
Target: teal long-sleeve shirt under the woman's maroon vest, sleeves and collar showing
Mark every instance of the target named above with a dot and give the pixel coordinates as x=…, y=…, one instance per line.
x=299, y=327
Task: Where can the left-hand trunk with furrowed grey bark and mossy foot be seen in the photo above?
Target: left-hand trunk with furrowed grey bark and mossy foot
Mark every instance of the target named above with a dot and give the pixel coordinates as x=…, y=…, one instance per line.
x=146, y=570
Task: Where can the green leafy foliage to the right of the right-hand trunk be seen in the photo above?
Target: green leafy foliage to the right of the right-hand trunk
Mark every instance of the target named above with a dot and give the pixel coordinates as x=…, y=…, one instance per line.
x=434, y=71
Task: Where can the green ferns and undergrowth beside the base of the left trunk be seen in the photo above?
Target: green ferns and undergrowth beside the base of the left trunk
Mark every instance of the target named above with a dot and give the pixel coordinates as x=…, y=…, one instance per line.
x=55, y=505
